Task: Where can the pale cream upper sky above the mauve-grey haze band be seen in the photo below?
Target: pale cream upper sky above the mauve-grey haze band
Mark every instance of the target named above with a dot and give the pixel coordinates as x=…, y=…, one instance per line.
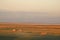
x=30, y=5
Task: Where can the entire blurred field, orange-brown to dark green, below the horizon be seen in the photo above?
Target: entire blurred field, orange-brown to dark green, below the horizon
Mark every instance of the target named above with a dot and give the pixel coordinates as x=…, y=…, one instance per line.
x=11, y=31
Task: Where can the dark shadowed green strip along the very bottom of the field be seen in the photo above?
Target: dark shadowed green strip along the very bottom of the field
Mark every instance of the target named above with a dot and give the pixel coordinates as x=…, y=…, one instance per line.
x=33, y=37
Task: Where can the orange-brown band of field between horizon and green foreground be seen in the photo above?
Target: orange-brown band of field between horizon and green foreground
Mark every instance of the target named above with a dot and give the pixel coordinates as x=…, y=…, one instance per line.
x=34, y=28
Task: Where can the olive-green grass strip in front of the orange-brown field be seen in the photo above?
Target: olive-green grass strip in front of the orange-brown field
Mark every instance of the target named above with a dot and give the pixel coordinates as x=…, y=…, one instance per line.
x=28, y=36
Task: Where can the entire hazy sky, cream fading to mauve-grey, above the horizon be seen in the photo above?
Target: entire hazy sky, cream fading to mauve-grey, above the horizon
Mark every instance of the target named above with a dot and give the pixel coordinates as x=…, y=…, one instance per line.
x=32, y=11
